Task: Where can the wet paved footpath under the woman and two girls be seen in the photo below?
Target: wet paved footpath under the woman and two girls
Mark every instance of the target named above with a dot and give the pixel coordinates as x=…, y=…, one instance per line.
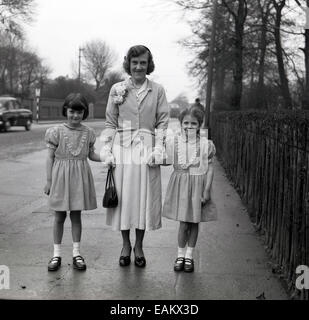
x=230, y=259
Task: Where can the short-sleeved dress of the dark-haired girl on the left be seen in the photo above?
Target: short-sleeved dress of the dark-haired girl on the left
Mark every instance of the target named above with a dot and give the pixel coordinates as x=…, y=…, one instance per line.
x=72, y=185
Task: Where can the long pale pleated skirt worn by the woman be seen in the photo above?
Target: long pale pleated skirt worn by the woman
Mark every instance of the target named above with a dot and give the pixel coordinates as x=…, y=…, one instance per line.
x=138, y=188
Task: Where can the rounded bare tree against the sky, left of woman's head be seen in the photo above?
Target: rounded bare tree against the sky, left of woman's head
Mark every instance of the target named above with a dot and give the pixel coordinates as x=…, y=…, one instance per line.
x=99, y=59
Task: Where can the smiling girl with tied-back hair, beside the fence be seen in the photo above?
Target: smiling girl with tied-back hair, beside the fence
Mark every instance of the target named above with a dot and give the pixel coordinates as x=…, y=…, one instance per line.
x=187, y=198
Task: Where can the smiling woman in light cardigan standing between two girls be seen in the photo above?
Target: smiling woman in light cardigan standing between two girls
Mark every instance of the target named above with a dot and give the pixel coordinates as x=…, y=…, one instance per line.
x=136, y=108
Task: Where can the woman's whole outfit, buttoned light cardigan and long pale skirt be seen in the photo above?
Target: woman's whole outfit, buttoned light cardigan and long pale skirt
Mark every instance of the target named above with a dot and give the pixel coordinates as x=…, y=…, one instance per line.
x=132, y=123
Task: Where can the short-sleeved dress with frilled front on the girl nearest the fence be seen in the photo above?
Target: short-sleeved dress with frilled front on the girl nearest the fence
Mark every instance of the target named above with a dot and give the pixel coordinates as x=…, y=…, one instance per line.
x=187, y=182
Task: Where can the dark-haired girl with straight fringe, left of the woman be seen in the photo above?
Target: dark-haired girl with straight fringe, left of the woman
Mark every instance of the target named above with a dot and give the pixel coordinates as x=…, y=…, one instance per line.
x=70, y=183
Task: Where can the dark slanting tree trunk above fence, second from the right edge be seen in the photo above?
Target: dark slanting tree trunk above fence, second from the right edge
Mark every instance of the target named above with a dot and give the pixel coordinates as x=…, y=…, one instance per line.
x=284, y=84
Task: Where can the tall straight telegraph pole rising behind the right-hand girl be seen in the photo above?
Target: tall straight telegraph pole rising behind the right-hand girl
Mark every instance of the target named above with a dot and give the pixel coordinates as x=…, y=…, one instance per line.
x=210, y=66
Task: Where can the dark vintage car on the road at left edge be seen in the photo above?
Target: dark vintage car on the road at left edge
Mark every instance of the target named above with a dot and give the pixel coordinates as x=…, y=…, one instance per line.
x=12, y=113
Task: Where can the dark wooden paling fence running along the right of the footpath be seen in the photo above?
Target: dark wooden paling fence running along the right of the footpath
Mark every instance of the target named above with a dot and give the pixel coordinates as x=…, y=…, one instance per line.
x=266, y=155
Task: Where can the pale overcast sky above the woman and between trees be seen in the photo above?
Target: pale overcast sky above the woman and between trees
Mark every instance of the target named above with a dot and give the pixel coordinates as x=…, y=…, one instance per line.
x=62, y=26
